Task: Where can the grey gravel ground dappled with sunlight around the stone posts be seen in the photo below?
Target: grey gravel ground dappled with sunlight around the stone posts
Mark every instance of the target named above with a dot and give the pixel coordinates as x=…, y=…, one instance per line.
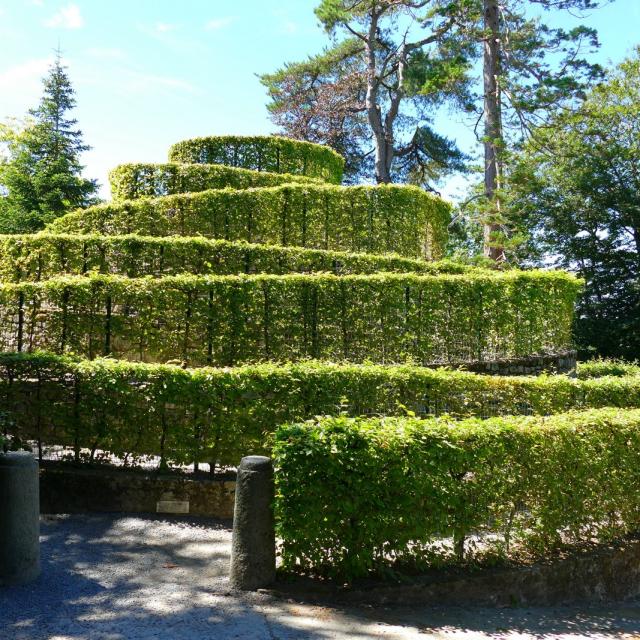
x=117, y=577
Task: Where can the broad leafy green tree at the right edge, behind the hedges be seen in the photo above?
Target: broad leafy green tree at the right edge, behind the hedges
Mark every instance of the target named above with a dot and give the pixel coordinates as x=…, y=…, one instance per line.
x=576, y=190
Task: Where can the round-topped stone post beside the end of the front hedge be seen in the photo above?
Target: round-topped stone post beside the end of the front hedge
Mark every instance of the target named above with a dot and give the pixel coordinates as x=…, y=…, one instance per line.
x=253, y=547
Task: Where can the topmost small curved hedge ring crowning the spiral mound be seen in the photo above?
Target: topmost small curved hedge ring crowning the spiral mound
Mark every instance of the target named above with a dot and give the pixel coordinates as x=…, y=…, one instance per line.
x=262, y=153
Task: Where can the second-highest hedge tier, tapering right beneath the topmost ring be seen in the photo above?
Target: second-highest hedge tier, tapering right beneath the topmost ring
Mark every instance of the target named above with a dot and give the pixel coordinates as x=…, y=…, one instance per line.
x=136, y=180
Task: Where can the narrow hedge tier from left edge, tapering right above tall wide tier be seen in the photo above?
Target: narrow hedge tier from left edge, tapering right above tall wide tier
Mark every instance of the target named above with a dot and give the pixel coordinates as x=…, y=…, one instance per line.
x=45, y=255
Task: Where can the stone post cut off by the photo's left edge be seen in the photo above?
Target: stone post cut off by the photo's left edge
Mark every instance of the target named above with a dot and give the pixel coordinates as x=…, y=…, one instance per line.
x=19, y=518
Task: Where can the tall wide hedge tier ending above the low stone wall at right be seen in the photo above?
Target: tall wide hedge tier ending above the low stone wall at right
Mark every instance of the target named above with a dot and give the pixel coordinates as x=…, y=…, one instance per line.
x=228, y=320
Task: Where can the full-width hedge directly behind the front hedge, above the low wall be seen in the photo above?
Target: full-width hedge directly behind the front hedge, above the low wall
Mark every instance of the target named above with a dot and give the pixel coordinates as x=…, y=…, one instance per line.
x=220, y=415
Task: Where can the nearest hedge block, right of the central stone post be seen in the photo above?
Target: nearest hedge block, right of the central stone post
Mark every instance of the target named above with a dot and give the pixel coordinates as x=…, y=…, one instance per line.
x=354, y=496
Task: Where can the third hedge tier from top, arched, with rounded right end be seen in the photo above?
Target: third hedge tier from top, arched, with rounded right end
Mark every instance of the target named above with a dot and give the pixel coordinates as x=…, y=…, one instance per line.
x=389, y=218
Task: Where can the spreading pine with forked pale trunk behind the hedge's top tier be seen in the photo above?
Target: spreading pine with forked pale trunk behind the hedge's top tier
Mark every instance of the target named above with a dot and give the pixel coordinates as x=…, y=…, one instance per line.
x=373, y=92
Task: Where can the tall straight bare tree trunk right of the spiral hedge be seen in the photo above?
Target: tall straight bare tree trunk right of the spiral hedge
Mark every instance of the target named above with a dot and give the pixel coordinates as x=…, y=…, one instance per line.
x=492, y=127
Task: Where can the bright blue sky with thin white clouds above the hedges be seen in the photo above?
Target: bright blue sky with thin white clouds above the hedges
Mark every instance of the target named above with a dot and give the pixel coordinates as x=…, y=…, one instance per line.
x=148, y=73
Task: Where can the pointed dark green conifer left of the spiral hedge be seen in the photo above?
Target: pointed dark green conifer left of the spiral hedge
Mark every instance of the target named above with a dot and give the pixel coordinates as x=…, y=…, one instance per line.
x=41, y=176
